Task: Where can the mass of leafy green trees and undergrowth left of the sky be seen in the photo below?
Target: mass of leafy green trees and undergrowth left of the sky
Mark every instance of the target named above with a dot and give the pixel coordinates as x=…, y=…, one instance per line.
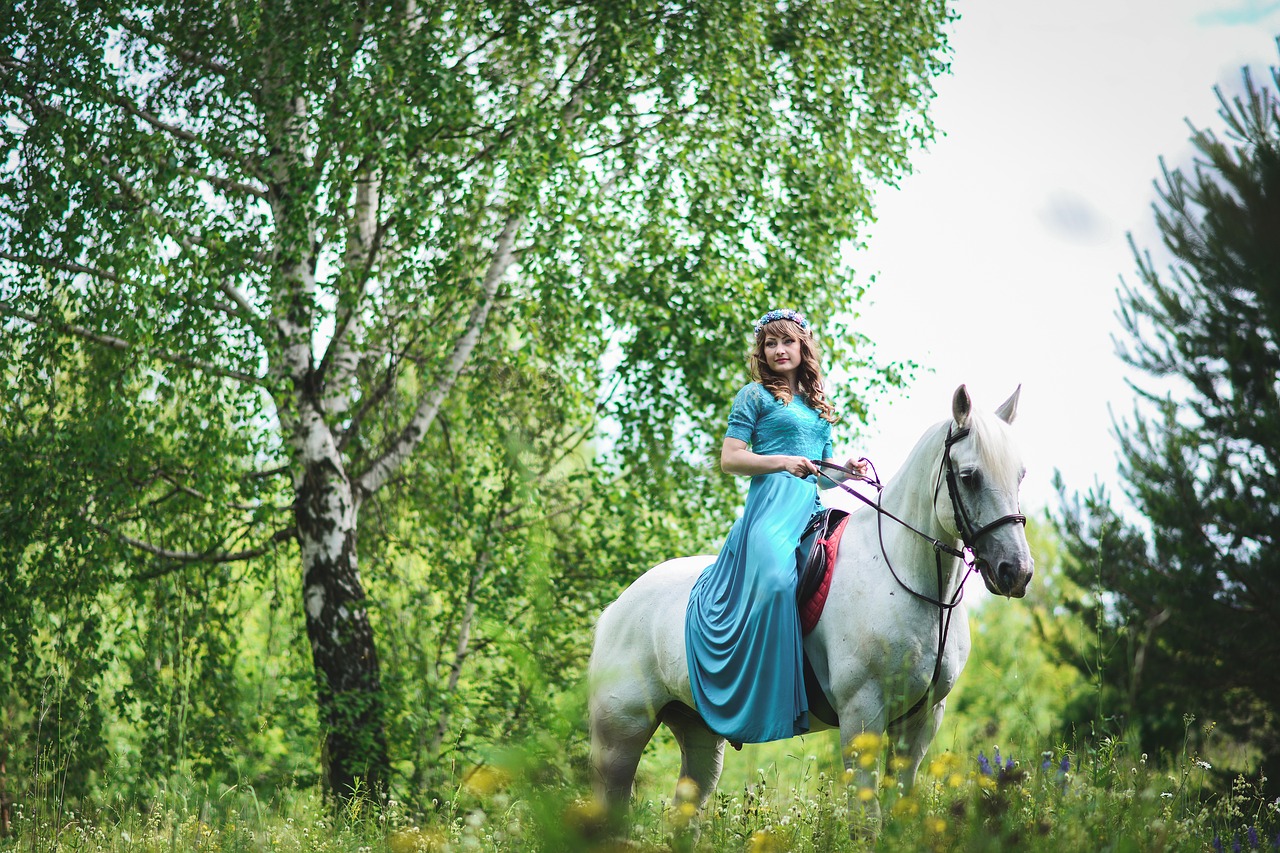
x=260, y=261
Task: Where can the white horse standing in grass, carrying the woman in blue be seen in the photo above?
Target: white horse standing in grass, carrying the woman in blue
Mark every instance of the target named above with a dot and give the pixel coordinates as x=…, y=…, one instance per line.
x=876, y=650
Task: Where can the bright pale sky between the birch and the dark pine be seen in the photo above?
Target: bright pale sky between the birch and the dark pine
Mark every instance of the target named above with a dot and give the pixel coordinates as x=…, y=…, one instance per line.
x=998, y=262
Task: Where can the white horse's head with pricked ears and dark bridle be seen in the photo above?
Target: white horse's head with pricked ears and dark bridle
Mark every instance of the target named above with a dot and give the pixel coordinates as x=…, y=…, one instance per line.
x=977, y=494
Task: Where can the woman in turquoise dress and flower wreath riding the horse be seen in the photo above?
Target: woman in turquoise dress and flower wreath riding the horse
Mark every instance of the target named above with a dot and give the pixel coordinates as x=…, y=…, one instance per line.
x=742, y=628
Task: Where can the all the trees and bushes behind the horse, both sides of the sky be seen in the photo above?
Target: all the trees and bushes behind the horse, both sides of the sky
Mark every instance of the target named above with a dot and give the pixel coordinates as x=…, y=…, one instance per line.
x=356, y=358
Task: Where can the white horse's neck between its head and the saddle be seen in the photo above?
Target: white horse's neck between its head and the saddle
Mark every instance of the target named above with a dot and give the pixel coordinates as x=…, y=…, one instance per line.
x=909, y=495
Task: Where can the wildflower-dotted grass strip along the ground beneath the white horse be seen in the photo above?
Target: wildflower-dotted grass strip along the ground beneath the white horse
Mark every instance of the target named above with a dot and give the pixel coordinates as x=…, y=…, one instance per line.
x=789, y=796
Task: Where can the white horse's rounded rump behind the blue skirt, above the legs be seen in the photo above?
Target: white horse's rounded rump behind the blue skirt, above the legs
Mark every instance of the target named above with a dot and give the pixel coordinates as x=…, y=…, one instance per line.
x=641, y=637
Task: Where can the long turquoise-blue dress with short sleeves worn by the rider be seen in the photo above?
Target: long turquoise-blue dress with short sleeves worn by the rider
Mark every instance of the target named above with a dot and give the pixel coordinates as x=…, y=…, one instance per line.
x=742, y=627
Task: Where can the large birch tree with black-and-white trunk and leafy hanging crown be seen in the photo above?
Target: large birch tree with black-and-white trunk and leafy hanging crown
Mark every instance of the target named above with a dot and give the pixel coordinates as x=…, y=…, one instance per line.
x=267, y=223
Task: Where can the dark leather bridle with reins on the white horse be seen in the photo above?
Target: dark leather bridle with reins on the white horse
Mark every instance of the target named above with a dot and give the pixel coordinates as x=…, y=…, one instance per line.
x=970, y=536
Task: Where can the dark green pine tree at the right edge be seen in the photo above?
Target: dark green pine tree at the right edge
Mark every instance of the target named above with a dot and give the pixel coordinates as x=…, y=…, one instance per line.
x=1180, y=605
